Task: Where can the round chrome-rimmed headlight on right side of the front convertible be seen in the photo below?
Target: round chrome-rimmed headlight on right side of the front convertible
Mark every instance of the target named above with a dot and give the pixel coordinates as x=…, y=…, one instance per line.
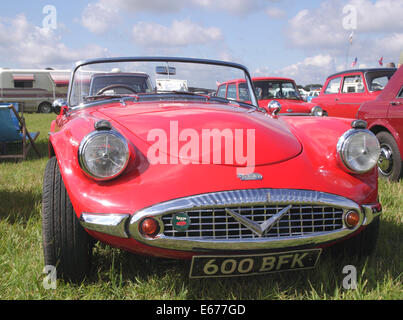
x=358, y=150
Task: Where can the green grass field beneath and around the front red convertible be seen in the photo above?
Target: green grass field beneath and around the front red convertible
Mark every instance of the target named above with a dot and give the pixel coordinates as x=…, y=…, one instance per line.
x=120, y=275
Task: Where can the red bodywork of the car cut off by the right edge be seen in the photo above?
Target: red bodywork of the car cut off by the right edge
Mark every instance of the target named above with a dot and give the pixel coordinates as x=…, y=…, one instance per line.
x=386, y=111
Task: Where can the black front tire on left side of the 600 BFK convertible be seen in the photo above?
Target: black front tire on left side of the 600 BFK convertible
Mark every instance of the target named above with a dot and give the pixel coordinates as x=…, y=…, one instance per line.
x=66, y=245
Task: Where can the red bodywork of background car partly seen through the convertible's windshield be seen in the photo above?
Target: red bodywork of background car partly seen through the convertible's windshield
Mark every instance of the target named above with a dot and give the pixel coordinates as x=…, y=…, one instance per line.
x=287, y=105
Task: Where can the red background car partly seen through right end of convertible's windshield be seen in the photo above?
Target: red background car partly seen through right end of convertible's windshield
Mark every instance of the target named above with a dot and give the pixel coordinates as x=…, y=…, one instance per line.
x=272, y=93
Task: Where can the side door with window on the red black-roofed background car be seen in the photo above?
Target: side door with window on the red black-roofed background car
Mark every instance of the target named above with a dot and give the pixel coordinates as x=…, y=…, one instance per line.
x=352, y=94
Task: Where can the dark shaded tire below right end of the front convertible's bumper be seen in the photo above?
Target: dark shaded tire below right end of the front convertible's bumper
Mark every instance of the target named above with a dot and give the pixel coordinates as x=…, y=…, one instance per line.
x=362, y=245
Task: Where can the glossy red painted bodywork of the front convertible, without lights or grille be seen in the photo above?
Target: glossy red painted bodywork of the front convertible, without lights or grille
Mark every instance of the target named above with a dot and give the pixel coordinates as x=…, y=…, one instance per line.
x=305, y=159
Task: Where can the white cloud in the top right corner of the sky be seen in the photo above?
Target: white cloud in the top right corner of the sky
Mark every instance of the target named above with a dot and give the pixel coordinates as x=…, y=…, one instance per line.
x=323, y=27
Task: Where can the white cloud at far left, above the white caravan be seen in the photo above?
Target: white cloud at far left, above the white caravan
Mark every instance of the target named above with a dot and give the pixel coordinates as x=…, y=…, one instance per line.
x=30, y=46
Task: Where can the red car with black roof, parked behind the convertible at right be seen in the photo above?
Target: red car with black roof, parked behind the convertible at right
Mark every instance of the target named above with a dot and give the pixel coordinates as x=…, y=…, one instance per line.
x=344, y=92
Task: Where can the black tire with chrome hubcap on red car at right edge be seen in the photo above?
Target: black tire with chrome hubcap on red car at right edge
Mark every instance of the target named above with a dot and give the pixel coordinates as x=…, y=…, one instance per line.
x=390, y=161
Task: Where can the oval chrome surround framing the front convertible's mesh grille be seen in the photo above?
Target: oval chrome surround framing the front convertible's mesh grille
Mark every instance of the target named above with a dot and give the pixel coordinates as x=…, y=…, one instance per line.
x=242, y=197
